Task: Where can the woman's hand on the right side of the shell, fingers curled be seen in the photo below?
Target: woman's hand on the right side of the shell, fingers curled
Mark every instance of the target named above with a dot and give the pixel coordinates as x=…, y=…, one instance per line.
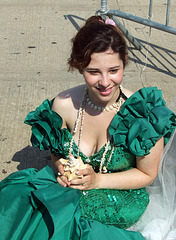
x=88, y=181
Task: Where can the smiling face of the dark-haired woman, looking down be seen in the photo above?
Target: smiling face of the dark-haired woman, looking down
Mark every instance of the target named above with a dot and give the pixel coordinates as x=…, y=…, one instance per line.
x=103, y=77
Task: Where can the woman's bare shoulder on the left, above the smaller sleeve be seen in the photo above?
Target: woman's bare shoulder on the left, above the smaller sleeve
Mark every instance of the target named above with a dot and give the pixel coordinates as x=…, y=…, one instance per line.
x=67, y=102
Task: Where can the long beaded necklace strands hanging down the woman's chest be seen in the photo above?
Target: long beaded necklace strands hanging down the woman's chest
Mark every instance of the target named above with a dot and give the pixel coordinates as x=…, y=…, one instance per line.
x=80, y=118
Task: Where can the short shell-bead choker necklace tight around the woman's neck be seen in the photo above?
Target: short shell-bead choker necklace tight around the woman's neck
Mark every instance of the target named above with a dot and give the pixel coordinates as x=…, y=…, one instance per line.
x=115, y=105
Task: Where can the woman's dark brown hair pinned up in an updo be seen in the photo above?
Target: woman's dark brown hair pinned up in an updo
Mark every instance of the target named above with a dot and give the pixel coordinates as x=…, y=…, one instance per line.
x=95, y=37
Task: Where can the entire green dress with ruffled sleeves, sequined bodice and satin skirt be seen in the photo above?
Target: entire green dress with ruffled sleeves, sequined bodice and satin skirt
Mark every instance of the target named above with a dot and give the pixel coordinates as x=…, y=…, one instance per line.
x=34, y=206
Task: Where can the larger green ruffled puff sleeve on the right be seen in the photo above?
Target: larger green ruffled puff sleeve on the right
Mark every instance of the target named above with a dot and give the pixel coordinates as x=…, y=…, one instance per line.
x=142, y=120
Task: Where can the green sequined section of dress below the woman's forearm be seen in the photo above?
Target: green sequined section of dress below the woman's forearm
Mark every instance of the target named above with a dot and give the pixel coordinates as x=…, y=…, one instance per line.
x=121, y=208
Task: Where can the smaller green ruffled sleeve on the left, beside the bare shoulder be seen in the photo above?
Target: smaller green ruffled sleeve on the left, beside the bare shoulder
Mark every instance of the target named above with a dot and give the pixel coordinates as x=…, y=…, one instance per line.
x=46, y=128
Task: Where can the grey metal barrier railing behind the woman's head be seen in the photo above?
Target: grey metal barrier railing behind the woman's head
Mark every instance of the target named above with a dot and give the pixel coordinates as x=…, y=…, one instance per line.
x=148, y=22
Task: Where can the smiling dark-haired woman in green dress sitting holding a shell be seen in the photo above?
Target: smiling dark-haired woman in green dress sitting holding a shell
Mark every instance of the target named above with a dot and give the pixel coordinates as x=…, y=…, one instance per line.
x=119, y=136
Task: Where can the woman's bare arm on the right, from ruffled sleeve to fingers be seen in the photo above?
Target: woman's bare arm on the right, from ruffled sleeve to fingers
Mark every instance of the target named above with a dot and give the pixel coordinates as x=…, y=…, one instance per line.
x=143, y=175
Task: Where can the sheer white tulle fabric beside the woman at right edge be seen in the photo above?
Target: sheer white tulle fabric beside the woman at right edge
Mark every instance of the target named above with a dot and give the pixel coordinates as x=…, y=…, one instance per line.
x=159, y=220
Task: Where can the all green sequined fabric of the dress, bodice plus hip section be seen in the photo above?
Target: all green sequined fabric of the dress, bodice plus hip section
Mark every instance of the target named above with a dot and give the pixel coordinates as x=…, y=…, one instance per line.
x=121, y=208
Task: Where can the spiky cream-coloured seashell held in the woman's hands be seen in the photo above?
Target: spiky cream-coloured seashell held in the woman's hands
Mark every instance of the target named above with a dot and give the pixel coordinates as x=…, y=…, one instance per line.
x=71, y=166
